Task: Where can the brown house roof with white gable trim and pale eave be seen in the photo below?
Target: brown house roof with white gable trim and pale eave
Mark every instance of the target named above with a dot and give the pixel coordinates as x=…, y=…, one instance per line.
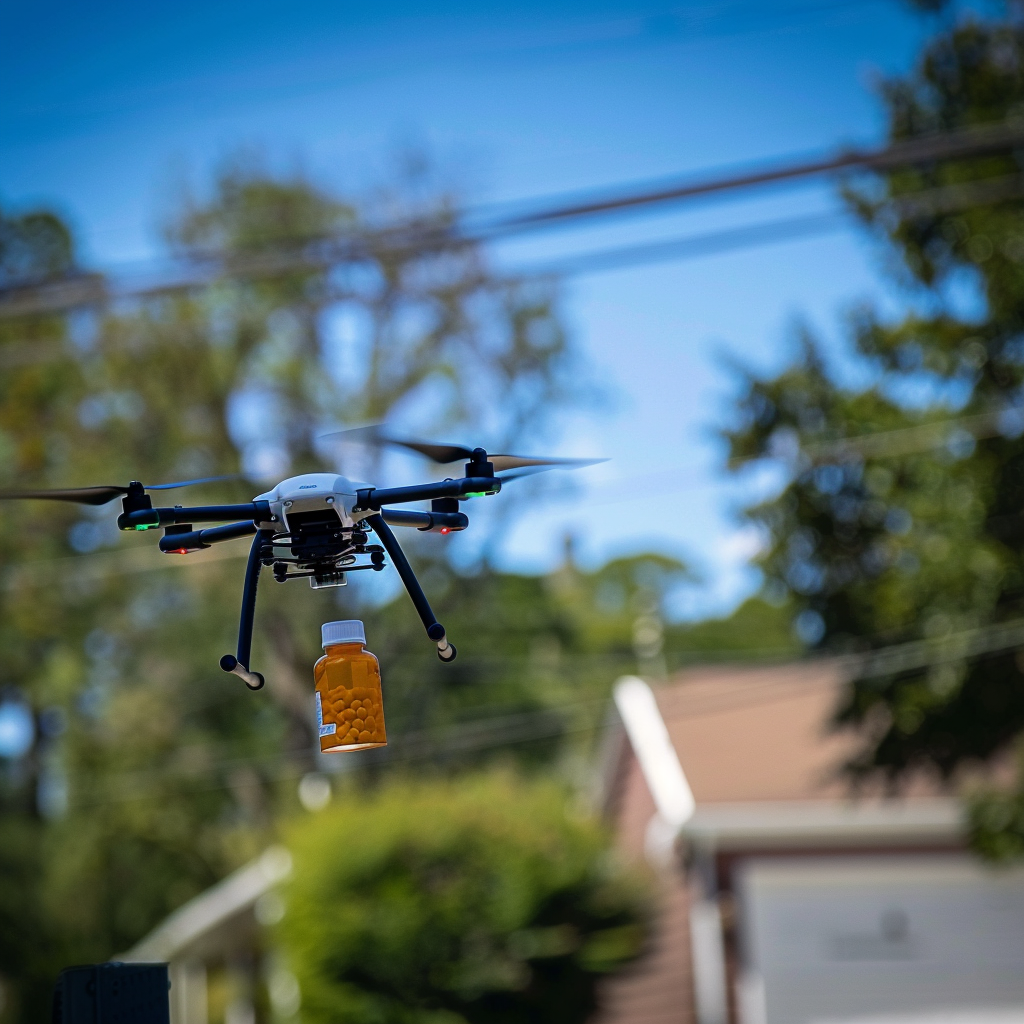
x=744, y=757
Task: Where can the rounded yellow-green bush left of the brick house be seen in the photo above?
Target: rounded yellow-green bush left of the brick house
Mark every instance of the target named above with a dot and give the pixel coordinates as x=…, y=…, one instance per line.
x=441, y=902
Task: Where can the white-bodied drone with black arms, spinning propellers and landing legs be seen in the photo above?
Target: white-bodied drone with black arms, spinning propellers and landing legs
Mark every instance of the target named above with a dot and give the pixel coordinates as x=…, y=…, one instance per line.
x=315, y=526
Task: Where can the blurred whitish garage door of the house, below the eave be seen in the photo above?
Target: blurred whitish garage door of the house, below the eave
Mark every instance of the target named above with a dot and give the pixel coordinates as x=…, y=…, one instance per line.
x=842, y=938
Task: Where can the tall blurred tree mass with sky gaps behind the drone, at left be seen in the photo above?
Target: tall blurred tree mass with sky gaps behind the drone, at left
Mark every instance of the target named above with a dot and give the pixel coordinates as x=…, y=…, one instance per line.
x=155, y=774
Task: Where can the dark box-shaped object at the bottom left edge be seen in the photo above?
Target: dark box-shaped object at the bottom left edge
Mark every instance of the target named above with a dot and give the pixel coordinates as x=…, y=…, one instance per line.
x=113, y=994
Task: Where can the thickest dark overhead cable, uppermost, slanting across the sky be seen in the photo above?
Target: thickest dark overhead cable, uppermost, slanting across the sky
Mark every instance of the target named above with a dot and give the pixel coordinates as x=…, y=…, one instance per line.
x=415, y=236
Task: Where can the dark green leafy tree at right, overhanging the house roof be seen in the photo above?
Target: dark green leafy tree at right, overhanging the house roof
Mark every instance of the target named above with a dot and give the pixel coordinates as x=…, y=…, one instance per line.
x=902, y=520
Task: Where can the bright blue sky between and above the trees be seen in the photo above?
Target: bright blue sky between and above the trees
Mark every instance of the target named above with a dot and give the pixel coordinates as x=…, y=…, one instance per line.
x=108, y=108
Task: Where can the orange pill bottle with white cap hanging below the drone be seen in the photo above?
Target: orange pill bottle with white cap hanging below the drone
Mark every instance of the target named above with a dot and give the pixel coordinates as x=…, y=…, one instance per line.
x=350, y=704
